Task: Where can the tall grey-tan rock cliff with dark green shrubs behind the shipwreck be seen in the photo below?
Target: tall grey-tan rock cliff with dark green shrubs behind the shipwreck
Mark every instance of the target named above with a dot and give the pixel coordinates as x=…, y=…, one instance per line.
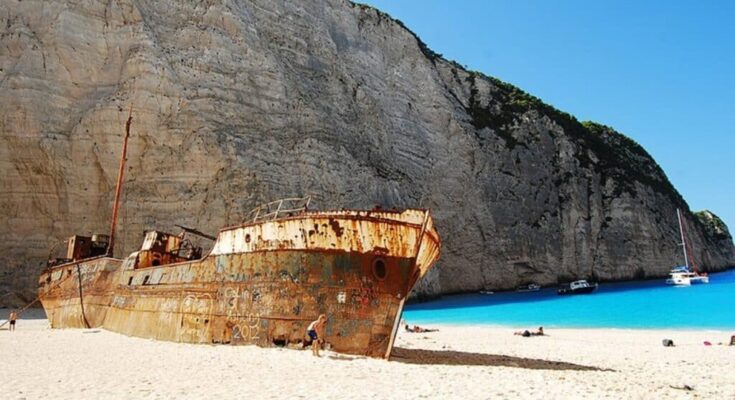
x=241, y=102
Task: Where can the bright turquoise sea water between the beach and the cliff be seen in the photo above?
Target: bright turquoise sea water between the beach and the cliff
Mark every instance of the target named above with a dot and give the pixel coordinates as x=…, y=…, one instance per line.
x=648, y=304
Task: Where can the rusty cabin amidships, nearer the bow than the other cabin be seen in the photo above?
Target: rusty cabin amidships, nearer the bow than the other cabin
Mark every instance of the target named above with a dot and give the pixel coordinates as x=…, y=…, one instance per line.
x=161, y=248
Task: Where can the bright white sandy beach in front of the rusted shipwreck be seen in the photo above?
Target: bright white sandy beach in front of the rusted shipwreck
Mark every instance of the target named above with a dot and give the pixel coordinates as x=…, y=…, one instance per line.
x=41, y=363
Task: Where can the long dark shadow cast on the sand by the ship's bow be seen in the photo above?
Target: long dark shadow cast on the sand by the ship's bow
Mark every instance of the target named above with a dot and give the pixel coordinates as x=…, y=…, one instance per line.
x=449, y=357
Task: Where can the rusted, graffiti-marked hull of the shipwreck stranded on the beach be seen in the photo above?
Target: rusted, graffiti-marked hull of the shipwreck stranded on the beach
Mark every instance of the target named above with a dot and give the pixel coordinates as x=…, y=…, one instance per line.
x=262, y=284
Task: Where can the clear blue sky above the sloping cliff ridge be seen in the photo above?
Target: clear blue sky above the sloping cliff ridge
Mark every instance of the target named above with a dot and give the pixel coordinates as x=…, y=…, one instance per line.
x=661, y=72
